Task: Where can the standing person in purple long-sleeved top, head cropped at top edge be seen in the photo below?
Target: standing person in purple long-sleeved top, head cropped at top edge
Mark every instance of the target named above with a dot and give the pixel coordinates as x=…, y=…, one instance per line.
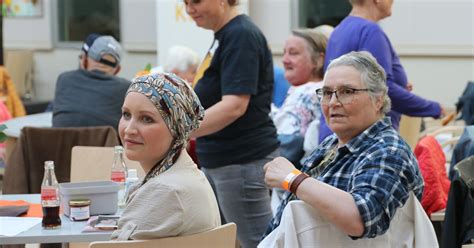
x=360, y=32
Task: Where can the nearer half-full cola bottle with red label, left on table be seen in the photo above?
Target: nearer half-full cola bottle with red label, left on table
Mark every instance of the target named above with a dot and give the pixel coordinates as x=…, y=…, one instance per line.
x=50, y=198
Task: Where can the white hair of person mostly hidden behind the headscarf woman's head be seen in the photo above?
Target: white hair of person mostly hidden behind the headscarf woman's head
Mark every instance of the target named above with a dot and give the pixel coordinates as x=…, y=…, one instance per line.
x=180, y=58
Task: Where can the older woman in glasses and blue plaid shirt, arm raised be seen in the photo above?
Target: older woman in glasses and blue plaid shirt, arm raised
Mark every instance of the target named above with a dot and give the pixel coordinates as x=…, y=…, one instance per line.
x=360, y=175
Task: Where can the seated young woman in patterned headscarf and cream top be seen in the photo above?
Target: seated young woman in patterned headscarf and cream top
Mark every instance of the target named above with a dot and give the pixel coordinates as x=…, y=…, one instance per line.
x=174, y=198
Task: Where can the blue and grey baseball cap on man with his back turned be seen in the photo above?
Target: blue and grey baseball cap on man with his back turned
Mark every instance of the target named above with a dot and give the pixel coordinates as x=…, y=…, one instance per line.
x=96, y=46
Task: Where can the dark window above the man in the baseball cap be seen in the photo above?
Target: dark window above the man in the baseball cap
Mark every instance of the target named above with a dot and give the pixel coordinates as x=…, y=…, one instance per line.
x=78, y=18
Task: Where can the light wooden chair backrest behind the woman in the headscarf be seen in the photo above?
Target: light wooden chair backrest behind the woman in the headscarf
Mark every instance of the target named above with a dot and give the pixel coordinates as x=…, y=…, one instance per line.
x=223, y=237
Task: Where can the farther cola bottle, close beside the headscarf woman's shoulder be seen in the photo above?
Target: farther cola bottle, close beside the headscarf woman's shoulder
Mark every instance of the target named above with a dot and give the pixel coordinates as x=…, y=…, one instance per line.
x=119, y=174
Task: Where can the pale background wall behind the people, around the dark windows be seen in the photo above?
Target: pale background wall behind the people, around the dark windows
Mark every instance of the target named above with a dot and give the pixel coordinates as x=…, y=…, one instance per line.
x=434, y=38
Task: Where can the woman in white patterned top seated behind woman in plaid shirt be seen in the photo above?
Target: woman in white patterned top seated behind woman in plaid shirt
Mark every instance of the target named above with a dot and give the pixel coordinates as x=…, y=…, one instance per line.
x=303, y=59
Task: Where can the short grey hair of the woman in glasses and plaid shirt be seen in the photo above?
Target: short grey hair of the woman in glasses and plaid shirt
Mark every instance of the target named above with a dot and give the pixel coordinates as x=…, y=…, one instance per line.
x=372, y=75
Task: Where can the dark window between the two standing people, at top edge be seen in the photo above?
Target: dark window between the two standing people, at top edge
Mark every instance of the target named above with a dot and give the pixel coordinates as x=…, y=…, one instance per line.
x=313, y=13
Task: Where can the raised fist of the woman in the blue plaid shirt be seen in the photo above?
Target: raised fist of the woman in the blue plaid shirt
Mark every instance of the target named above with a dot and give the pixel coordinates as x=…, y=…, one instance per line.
x=276, y=171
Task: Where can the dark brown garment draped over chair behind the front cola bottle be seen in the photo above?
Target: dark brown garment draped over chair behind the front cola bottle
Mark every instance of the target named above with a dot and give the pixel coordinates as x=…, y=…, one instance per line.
x=25, y=169
